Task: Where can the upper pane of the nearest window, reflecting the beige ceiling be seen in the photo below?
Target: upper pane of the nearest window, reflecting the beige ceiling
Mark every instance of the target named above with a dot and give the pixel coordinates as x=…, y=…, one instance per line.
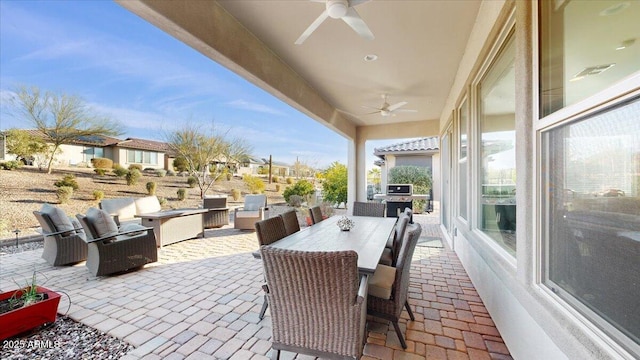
x=586, y=46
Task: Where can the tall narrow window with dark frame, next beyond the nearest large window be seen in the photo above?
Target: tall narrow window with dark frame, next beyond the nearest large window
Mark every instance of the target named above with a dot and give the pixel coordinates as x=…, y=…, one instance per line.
x=497, y=162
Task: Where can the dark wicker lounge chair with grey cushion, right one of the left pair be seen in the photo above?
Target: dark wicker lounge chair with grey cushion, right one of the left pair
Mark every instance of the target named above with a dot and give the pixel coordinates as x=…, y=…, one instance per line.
x=119, y=251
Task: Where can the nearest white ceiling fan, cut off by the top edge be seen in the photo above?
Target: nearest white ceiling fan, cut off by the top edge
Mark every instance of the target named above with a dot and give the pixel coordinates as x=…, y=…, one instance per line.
x=339, y=9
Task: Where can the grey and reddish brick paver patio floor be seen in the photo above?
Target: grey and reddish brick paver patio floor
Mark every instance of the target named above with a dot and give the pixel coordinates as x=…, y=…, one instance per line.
x=202, y=299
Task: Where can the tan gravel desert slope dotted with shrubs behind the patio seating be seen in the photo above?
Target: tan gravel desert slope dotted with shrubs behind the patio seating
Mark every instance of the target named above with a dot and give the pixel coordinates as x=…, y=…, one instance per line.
x=24, y=190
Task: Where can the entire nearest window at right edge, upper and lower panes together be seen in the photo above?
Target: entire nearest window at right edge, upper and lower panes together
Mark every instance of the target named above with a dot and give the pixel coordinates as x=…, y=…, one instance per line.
x=590, y=179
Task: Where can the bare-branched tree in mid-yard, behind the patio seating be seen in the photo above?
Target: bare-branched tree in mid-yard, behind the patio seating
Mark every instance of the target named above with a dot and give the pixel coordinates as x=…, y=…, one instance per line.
x=207, y=155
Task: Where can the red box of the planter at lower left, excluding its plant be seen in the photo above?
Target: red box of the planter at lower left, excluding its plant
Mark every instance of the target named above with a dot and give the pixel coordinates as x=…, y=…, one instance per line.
x=23, y=319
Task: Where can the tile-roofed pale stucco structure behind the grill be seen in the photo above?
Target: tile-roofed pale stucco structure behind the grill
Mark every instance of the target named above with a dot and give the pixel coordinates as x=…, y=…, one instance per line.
x=423, y=152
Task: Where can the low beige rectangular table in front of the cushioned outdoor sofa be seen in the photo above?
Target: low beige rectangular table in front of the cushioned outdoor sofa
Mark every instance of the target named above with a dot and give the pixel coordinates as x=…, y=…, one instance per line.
x=175, y=225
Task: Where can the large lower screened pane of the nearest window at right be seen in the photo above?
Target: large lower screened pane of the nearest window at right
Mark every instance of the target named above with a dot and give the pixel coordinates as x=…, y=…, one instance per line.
x=592, y=216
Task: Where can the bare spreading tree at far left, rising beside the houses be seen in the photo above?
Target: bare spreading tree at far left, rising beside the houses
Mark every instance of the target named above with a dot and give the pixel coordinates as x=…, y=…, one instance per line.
x=61, y=118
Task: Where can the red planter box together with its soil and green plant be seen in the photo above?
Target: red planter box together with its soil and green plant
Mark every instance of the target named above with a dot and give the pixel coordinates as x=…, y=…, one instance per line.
x=24, y=309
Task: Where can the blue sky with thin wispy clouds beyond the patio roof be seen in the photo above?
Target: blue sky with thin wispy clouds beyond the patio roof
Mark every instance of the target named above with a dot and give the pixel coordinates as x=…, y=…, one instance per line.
x=130, y=71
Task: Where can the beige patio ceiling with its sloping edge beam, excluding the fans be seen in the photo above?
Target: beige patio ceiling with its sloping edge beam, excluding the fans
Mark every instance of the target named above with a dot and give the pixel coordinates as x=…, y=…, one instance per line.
x=419, y=45
